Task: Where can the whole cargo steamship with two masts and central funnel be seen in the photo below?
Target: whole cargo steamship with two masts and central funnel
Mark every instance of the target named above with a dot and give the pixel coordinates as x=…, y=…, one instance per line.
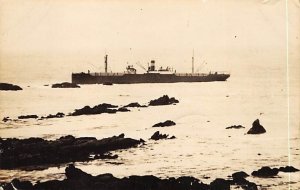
x=152, y=75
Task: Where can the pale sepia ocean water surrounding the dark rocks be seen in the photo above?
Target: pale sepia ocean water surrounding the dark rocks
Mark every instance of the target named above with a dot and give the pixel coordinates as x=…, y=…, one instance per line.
x=203, y=148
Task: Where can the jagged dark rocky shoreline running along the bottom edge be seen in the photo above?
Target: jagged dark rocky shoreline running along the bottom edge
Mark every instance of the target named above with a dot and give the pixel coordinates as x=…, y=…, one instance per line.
x=78, y=179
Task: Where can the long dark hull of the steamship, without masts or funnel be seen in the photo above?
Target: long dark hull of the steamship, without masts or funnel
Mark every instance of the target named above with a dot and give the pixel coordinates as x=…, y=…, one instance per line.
x=85, y=78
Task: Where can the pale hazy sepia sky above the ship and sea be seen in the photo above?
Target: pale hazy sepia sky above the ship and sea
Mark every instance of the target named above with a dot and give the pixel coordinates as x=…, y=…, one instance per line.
x=52, y=38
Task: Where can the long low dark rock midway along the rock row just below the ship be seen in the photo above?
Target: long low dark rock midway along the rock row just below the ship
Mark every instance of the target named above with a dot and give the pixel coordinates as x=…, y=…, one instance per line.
x=101, y=108
